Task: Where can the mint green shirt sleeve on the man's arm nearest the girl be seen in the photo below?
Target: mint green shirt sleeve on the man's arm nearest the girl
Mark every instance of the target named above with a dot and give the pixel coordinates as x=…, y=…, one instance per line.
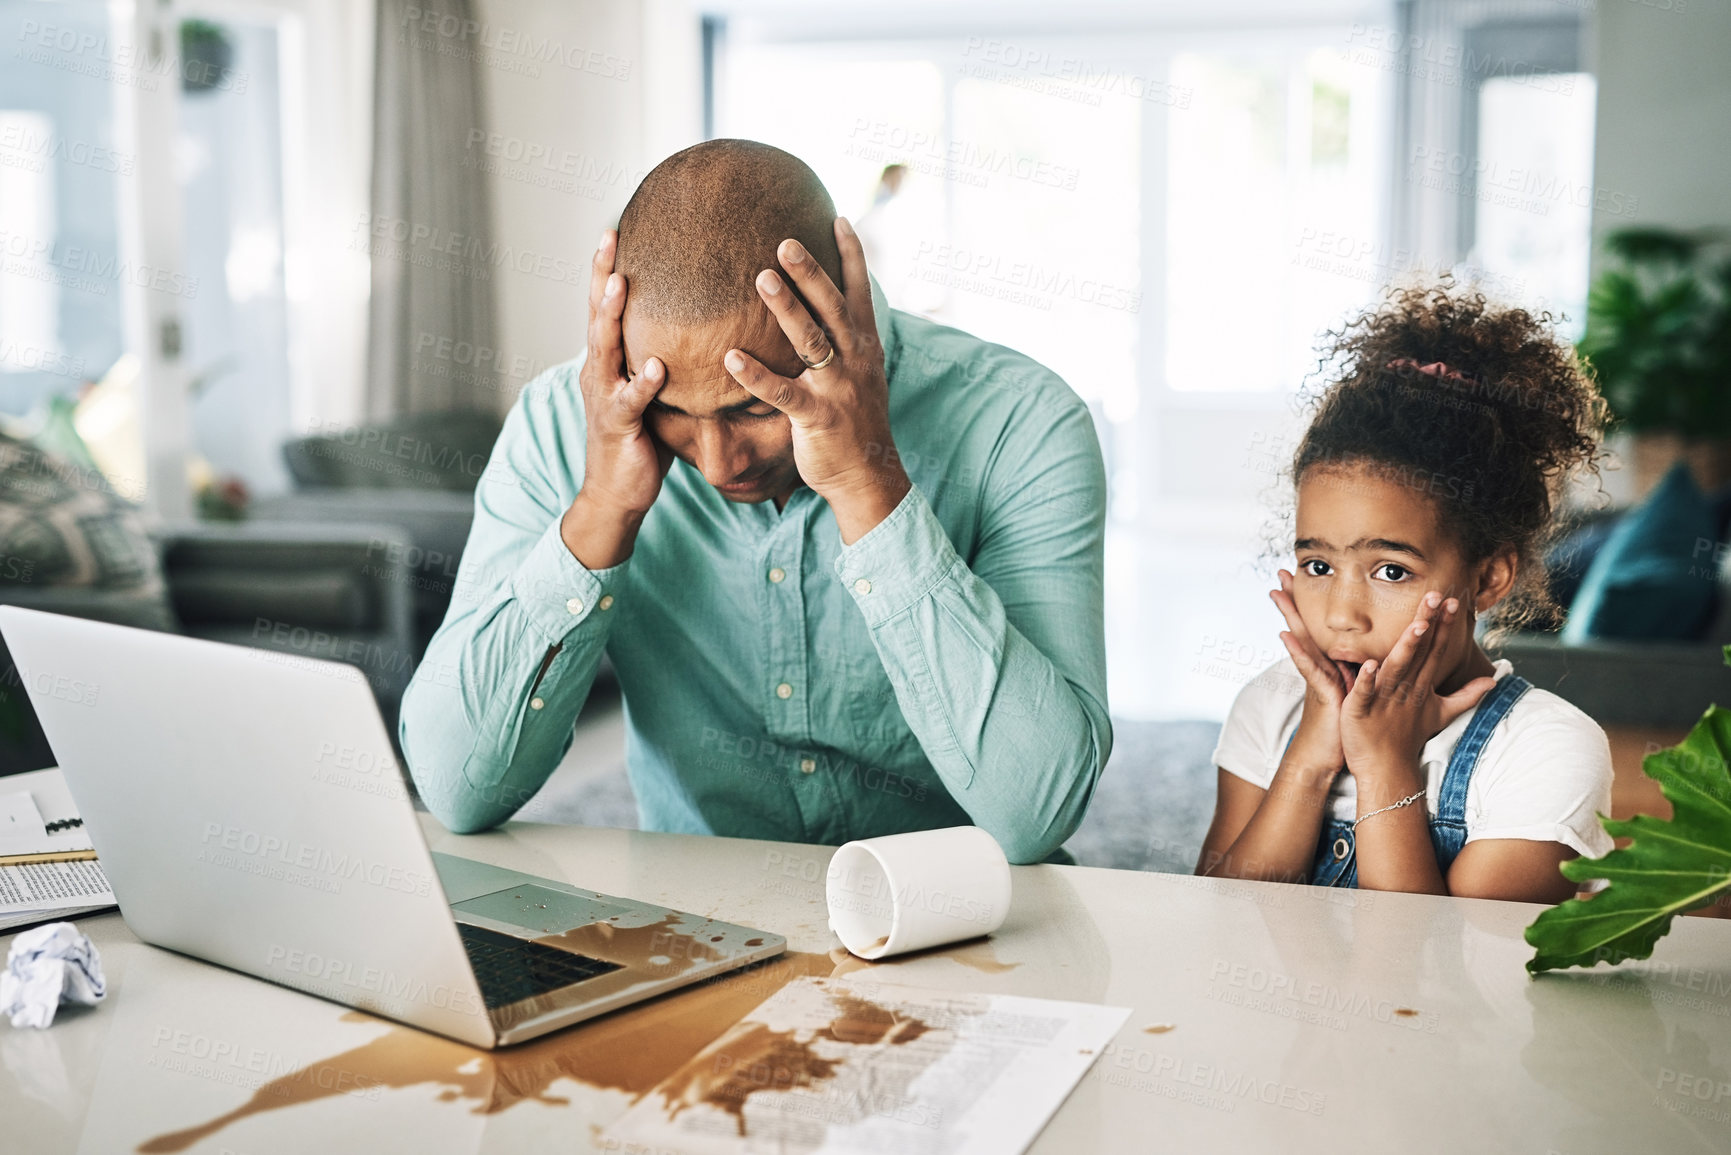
x=998, y=662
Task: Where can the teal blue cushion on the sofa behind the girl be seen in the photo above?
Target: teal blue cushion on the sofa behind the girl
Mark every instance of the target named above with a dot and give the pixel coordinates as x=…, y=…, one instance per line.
x=1657, y=576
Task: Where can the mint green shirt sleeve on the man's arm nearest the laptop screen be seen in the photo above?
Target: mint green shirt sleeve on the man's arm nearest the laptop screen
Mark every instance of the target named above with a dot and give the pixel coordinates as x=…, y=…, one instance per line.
x=496, y=699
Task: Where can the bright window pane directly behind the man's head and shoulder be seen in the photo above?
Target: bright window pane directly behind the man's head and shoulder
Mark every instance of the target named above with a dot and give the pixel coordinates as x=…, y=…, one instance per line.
x=981, y=203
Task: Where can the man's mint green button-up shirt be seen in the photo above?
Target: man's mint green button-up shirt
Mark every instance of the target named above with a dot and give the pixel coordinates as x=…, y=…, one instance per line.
x=944, y=669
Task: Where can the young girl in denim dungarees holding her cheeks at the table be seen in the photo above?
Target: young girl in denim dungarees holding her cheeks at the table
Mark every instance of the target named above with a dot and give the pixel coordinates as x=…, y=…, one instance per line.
x=1389, y=752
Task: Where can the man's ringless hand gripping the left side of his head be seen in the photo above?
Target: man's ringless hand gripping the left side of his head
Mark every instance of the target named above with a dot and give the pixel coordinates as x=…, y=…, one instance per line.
x=624, y=463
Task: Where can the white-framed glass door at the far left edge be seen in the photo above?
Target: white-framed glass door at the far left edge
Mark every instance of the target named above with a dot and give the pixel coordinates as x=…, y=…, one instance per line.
x=93, y=281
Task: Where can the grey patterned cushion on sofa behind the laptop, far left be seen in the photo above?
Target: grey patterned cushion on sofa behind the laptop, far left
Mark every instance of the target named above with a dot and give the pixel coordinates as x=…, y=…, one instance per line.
x=63, y=529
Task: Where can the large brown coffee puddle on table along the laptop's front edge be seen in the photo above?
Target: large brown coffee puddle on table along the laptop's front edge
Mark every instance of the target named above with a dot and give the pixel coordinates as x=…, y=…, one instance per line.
x=631, y=1050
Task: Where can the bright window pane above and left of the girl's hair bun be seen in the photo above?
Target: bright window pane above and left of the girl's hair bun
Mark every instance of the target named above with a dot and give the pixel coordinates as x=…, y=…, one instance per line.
x=1273, y=214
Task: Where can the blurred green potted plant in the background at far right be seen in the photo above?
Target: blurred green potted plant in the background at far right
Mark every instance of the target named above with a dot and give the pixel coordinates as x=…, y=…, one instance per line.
x=1659, y=337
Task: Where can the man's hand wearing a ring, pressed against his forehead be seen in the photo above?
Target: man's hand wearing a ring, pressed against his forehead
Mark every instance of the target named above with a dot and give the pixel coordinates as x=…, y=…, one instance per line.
x=840, y=406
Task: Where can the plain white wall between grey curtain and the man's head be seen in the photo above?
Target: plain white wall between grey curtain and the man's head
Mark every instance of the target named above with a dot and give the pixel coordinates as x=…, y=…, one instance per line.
x=569, y=146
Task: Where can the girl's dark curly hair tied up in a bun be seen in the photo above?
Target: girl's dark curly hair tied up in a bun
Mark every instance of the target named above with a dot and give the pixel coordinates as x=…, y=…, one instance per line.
x=1491, y=434
